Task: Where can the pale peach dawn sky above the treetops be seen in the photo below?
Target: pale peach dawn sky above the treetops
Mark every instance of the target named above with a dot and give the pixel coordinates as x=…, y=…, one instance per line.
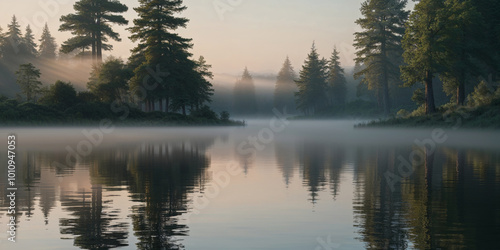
x=230, y=34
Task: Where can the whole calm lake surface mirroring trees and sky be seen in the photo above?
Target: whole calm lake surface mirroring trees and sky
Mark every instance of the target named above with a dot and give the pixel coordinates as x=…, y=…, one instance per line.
x=270, y=185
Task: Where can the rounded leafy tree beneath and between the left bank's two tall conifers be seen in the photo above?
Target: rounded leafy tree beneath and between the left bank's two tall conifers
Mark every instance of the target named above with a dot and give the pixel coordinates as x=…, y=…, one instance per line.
x=109, y=80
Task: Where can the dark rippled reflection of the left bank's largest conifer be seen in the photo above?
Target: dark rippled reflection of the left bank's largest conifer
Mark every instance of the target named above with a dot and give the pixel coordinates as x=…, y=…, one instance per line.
x=162, y=176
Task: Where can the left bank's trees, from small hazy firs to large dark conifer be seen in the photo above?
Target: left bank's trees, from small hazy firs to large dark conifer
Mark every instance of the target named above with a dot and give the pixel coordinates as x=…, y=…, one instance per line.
x=160, y=75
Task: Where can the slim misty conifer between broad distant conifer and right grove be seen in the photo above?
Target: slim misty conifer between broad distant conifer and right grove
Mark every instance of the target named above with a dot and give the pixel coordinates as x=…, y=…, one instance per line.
x=337, y=89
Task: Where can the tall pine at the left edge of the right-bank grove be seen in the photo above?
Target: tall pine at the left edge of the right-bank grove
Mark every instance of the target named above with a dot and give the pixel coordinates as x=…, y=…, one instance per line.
x=379, y=45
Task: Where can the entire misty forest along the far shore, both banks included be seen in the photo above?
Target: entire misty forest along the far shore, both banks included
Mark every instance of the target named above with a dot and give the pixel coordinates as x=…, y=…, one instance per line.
x=441, y=57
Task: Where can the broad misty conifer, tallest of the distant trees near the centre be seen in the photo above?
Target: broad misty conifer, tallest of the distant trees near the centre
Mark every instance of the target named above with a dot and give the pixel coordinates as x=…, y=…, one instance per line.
x=312, y=86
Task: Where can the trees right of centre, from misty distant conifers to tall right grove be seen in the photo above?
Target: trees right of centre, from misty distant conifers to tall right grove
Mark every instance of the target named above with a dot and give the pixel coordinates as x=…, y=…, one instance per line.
x=449, y=46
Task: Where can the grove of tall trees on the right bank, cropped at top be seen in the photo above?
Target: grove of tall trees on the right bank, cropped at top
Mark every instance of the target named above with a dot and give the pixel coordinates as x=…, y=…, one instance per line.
x=453, y=42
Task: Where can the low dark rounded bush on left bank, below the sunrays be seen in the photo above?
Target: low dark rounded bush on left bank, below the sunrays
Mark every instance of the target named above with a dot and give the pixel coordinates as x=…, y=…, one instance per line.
x=60, y=95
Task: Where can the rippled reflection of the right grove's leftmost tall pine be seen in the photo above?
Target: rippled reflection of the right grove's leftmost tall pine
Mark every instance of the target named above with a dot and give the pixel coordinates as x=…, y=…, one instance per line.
x=377, y=209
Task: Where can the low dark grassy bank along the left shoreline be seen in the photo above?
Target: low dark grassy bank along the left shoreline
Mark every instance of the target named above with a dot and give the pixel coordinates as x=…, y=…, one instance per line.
x=13, y=113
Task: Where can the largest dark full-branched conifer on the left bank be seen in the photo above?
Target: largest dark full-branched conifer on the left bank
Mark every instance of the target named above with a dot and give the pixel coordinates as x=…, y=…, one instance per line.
x=163, y=52
